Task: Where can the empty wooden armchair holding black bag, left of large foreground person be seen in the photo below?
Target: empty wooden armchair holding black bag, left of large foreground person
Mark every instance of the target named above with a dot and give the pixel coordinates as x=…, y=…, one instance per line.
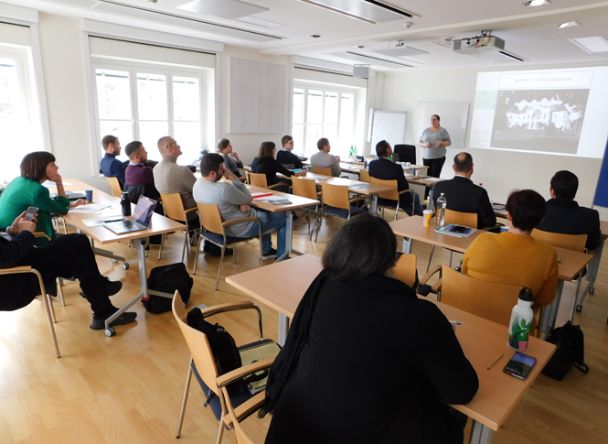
x=202, y=364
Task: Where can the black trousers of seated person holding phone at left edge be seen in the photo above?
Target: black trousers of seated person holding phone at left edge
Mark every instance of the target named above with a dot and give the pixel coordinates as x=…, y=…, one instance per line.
x=67, y=256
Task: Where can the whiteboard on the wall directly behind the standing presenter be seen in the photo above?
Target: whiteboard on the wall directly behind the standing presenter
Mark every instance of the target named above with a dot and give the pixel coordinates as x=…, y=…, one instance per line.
x=454, y=117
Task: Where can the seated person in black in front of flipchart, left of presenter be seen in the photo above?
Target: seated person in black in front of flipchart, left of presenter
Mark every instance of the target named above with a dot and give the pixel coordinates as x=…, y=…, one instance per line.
x=384, y=168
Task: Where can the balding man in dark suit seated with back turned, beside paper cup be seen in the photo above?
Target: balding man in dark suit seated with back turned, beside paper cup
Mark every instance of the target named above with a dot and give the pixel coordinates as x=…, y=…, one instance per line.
x=463, y=195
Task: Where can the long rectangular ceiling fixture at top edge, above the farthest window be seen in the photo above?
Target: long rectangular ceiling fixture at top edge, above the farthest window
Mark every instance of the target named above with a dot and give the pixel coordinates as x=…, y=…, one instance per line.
x=370, y=11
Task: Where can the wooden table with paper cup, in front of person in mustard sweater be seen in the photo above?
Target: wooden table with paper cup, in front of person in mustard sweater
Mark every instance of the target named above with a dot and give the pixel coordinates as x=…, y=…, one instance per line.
x=570, y=263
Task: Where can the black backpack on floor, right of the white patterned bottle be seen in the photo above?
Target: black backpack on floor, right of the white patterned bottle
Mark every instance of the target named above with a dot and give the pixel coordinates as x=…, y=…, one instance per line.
x=570, y=351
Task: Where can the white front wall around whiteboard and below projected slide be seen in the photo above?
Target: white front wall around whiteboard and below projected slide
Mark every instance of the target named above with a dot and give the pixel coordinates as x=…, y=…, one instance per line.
x=500, y=172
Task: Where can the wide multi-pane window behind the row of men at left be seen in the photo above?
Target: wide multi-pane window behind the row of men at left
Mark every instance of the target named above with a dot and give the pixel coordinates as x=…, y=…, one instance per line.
x=143, y=102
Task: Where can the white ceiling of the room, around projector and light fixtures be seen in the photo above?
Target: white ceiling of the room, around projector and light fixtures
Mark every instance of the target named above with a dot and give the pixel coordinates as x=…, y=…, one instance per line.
x=286, y=27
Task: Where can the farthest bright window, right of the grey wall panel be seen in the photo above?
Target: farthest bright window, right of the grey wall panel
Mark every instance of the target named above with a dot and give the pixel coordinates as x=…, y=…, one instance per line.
x=324, y=112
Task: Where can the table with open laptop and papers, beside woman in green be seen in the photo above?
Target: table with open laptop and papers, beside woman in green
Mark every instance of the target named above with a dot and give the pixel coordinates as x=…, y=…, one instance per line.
x=91, y=224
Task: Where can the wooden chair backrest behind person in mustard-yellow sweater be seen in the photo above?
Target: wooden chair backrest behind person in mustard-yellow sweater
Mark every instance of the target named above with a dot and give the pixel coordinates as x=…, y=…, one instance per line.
x=486, y=299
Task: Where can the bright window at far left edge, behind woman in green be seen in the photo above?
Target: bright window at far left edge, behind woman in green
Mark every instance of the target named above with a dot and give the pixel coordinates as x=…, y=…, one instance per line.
x=19, y=112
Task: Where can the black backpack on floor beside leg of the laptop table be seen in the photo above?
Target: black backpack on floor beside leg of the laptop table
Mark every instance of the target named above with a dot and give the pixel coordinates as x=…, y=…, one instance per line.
x=167, y=278
